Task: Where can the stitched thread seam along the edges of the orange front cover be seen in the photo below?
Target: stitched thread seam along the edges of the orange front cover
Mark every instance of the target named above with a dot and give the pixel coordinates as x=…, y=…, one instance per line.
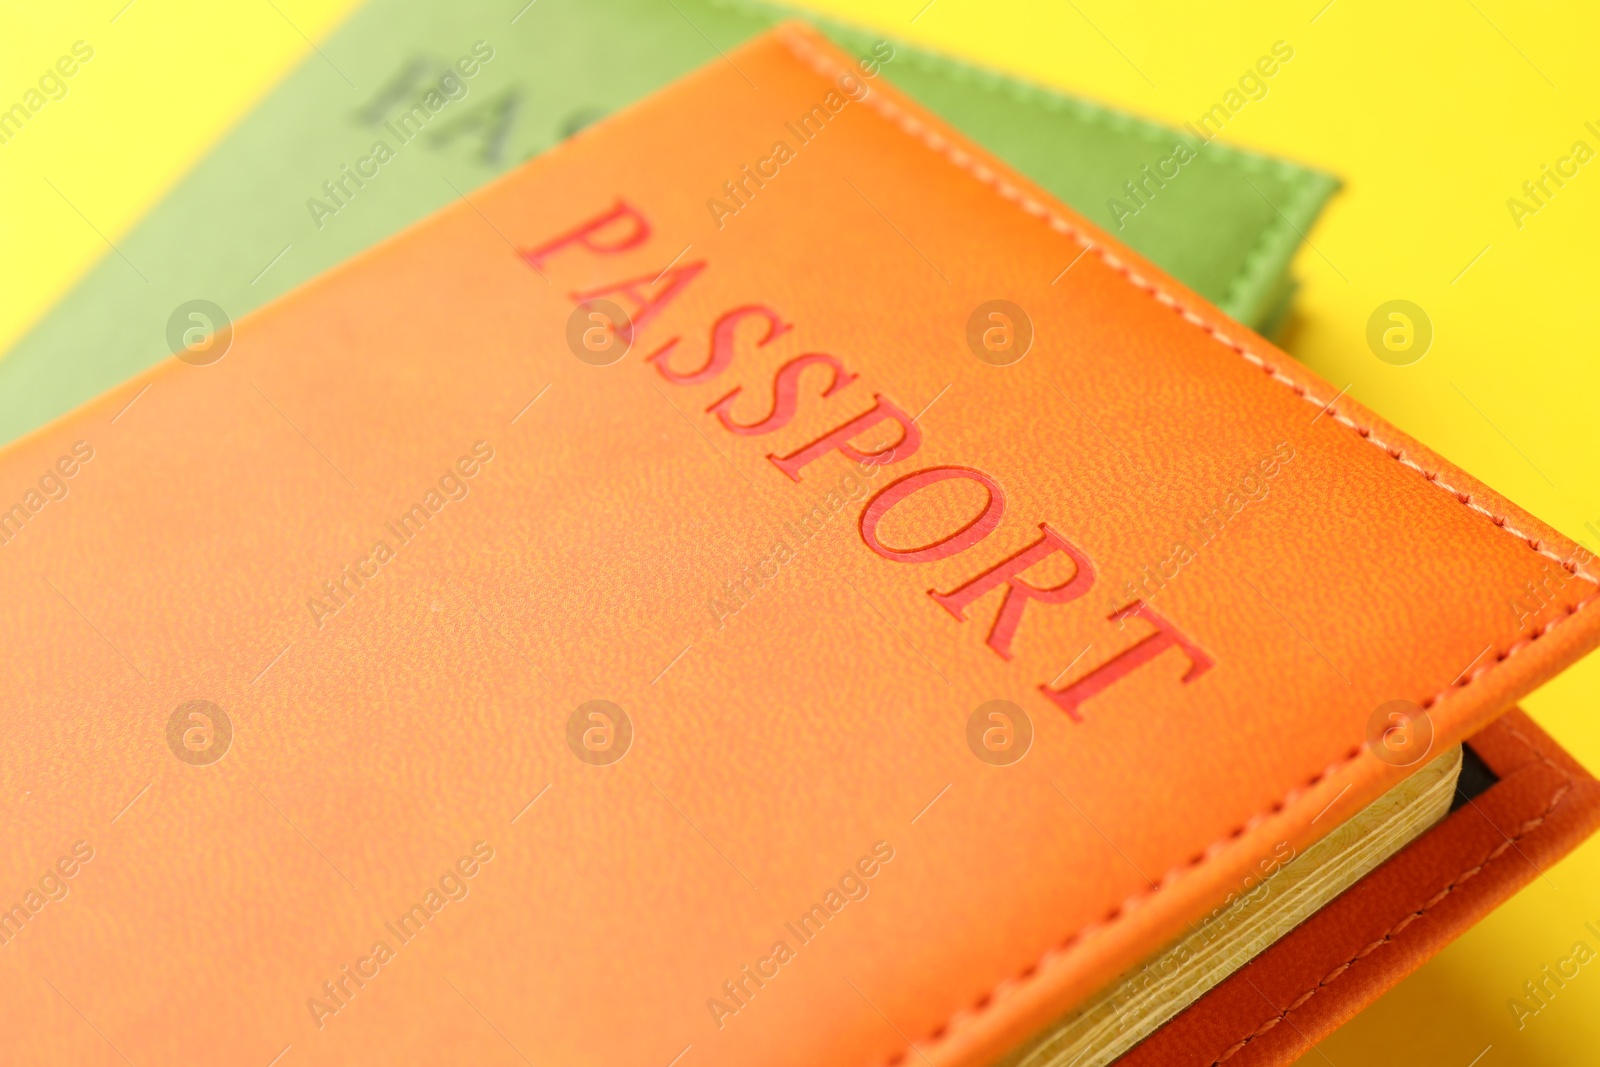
x=914, y=127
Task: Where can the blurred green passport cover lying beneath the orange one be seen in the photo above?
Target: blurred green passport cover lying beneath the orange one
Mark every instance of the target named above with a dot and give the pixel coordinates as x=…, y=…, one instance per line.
x=246, y=226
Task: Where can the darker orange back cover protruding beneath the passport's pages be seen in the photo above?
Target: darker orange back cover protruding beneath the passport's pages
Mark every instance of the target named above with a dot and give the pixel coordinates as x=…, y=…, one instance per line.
x=1398, y=917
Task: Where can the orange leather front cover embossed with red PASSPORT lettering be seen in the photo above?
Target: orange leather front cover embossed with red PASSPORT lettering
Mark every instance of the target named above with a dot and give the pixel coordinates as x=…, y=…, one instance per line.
x=305, y=644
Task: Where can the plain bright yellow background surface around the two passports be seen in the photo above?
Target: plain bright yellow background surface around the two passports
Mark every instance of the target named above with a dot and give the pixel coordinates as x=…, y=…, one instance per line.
x=1434, y=114
